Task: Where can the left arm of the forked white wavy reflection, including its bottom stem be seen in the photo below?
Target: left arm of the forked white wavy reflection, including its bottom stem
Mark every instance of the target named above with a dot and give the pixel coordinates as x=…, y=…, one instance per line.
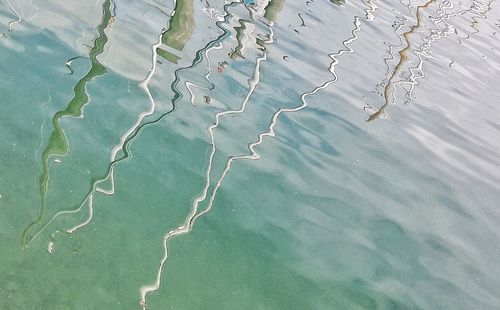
x=192, y=215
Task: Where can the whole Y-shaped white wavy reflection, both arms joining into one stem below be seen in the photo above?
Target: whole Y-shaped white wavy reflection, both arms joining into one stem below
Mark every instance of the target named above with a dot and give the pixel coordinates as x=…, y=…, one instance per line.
x=194, y=214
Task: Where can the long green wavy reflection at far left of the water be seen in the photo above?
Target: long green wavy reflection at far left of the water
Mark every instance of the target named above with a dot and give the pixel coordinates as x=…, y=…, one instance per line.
x=58, y=144
